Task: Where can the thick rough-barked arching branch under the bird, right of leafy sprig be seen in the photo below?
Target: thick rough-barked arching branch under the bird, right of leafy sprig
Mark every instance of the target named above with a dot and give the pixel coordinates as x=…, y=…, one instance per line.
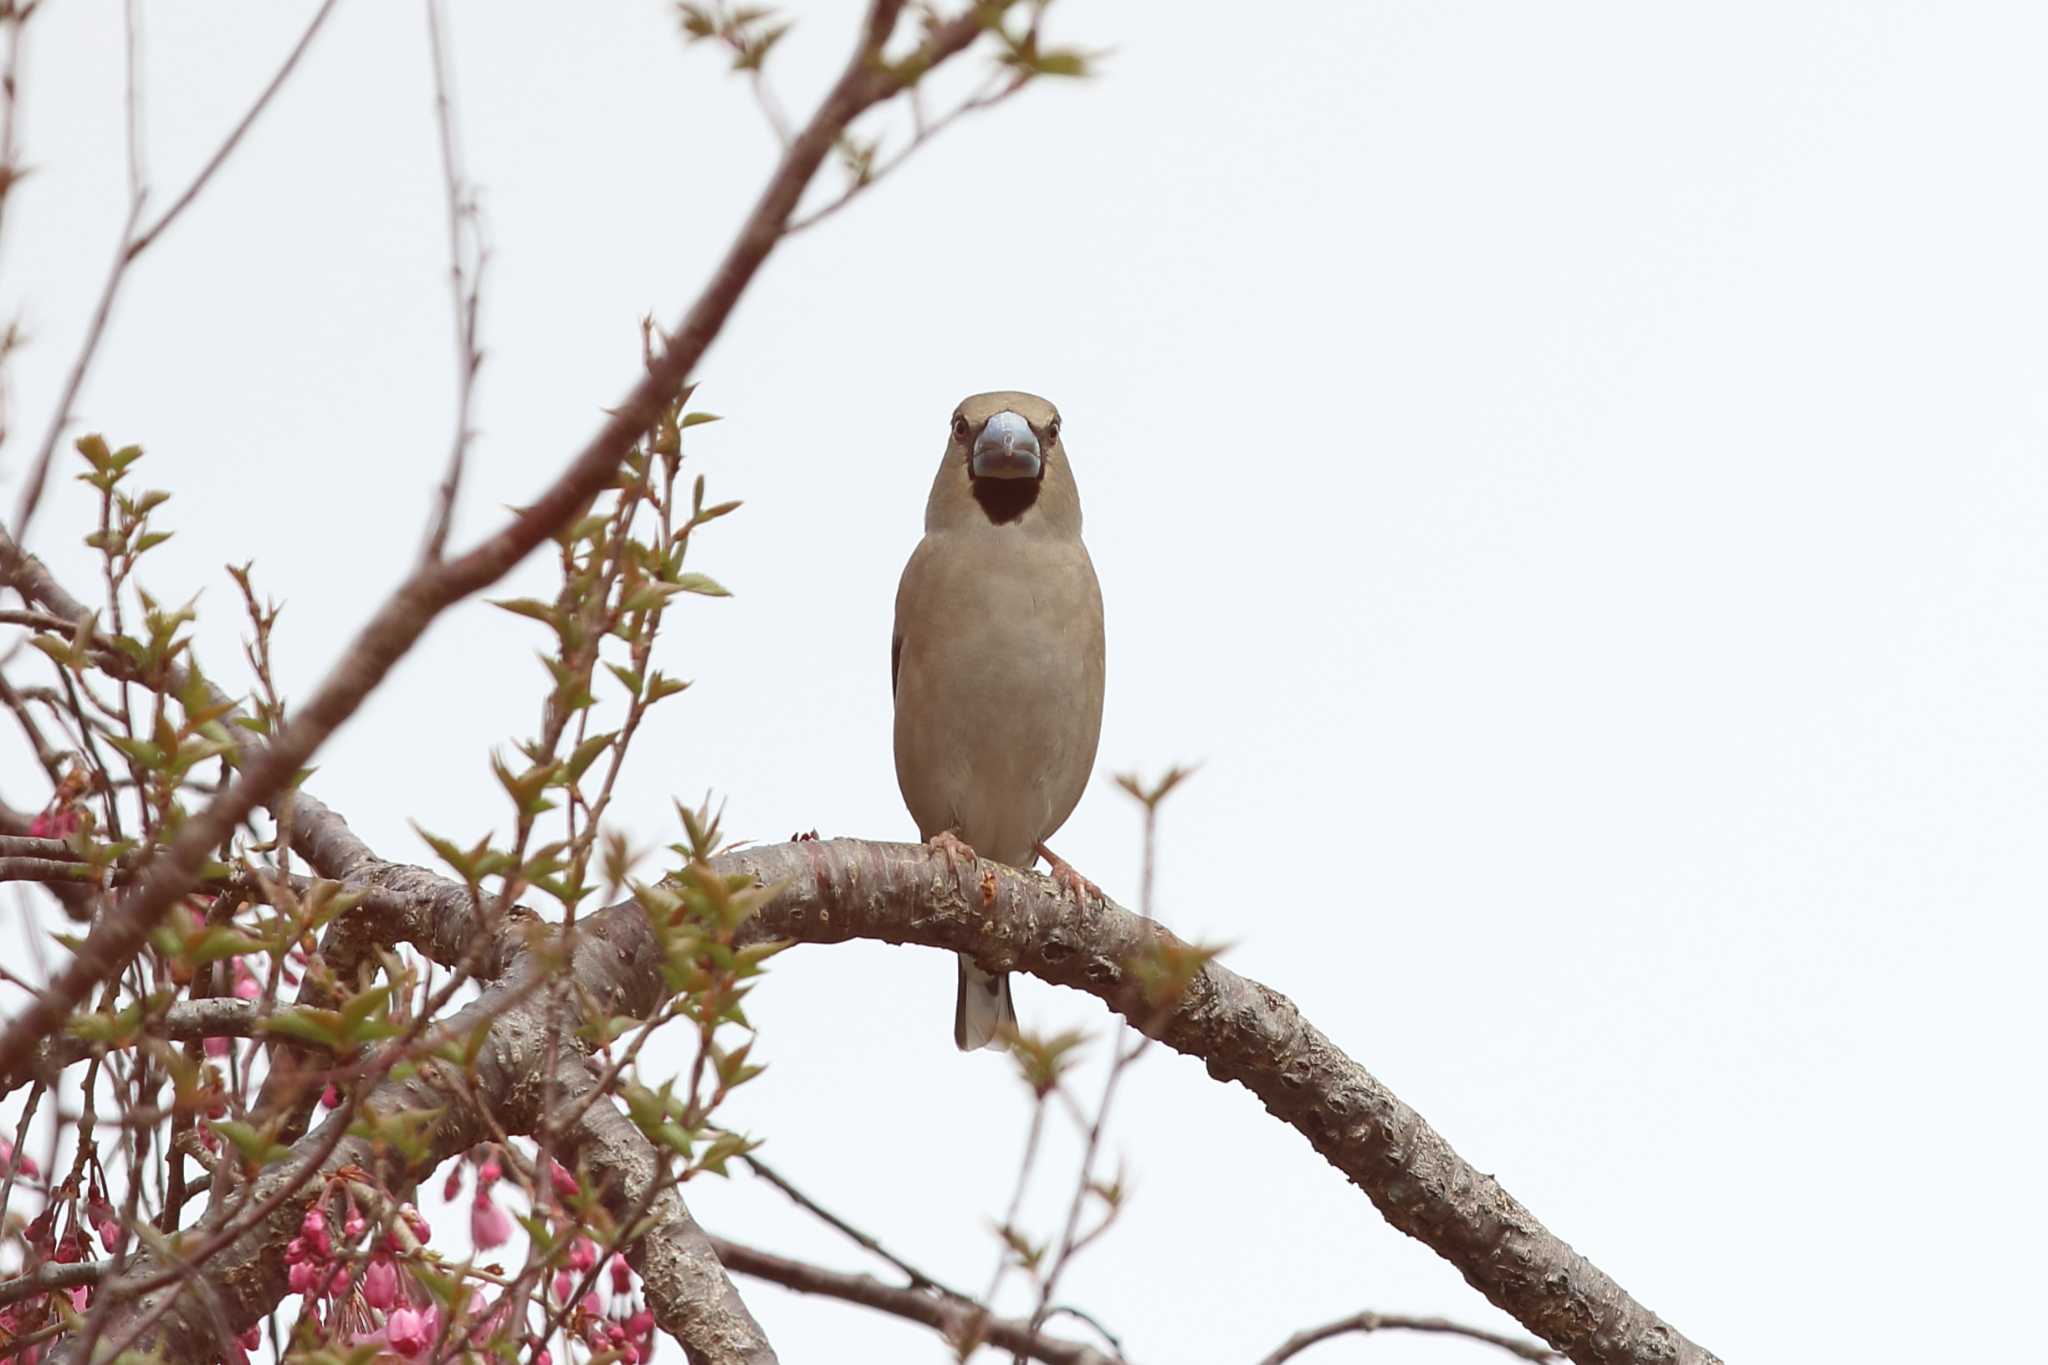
x=1019, y=922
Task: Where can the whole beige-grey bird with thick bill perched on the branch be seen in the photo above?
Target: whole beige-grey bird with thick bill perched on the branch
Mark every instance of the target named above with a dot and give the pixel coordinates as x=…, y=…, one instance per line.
x=996, y=662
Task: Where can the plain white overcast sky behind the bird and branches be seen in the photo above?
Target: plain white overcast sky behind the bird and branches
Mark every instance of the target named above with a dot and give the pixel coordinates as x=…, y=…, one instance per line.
x=1572, y=474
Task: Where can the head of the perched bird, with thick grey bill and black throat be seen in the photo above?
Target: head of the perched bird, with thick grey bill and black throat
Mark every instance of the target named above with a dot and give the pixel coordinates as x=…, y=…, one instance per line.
x=1005, y=459
